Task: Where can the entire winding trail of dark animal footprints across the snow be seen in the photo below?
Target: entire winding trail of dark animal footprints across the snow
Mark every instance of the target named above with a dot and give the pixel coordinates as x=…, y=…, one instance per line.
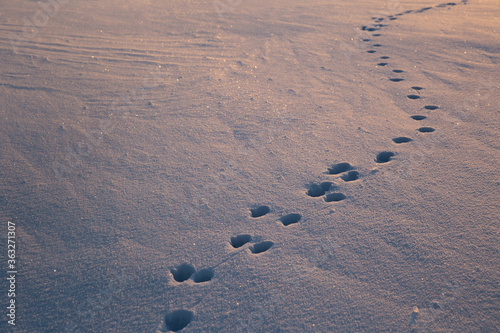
x=179, y=319
